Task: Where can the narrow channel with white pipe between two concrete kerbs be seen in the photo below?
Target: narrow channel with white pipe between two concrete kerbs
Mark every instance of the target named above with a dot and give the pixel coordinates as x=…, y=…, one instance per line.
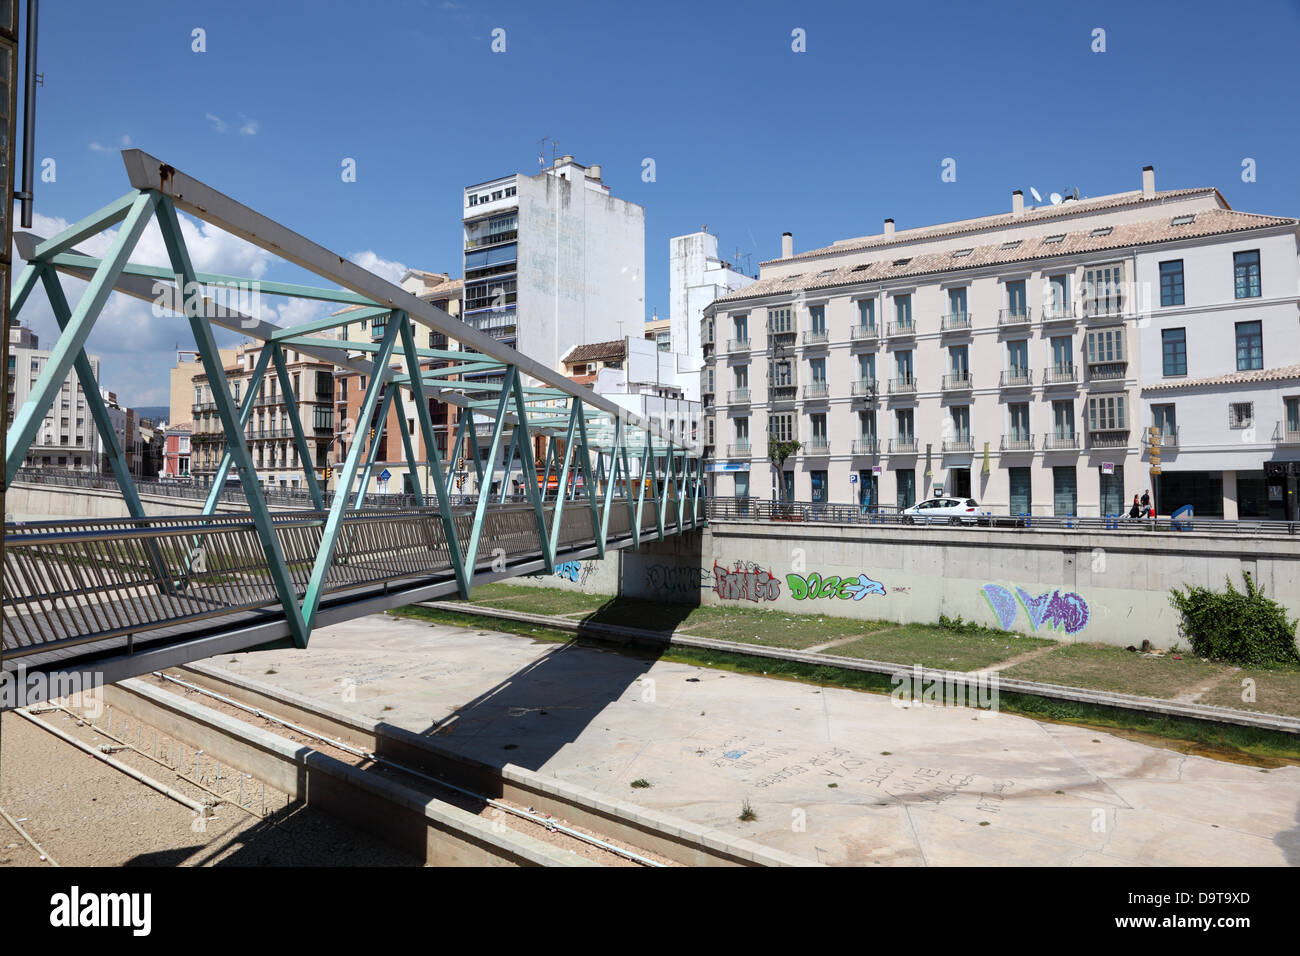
x=502, y=815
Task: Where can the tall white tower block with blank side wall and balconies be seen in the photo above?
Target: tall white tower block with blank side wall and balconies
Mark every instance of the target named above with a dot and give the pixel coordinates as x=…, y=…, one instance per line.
x=553, y=261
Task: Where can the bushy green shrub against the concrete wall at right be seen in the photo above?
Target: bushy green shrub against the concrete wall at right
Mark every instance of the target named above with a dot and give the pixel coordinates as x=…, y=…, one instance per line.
x=1245, y=629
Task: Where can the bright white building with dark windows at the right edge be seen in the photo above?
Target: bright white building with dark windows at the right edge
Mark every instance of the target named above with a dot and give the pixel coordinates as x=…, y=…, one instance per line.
x=1220, y=373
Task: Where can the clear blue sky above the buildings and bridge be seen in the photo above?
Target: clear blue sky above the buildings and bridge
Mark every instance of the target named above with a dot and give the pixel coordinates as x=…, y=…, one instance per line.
x=747, y=136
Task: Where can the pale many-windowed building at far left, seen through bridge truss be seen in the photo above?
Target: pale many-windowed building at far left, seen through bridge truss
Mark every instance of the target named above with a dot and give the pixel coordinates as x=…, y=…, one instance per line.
x=67, y=439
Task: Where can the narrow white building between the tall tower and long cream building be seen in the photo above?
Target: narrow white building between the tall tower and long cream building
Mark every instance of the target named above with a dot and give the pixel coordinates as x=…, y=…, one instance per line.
x=696, y=279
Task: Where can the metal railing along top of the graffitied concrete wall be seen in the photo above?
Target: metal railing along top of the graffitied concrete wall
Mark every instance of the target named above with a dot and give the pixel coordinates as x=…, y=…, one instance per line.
x=985, y=520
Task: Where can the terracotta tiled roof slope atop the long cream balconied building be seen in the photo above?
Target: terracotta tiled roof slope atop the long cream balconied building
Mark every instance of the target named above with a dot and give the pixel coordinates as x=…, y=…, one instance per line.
x=1121, y=236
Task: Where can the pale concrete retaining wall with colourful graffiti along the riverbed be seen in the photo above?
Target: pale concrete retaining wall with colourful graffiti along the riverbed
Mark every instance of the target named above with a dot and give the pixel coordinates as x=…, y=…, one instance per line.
x=1108, y=587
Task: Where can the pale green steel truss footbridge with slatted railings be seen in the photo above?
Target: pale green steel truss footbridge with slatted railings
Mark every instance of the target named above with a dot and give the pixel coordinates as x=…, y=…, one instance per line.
x=120, y=598
